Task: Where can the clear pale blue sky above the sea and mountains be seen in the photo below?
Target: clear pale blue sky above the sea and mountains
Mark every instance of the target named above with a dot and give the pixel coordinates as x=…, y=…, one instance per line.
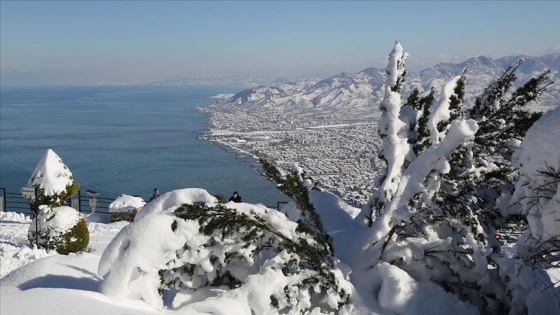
x=148, y=40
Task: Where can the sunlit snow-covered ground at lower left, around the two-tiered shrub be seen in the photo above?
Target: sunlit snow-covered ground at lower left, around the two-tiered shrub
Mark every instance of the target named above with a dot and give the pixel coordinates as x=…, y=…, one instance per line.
x=35, y=281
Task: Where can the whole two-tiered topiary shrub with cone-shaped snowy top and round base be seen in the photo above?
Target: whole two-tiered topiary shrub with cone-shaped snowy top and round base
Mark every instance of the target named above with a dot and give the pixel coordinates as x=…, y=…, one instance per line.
x=56, y=226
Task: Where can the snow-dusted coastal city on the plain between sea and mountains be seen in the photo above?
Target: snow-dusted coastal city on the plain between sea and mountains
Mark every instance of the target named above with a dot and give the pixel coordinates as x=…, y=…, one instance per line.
x=336, y=148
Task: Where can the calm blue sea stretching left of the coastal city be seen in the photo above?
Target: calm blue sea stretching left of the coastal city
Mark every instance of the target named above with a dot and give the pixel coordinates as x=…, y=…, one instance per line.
x=123, y=140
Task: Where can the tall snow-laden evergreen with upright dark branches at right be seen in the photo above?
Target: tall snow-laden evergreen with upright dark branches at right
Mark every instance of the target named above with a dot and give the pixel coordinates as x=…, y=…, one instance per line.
x=432, y=224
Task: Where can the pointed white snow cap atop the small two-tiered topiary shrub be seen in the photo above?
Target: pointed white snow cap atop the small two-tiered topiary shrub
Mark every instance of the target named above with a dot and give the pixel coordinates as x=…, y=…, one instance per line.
x=51, y=174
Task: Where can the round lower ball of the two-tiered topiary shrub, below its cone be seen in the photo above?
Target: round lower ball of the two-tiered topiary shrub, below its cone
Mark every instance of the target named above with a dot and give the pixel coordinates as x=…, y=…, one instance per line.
x=63, y=229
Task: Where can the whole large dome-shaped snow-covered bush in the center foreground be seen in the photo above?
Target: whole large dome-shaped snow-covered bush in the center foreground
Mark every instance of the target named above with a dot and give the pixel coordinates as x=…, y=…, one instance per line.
x=246, y=253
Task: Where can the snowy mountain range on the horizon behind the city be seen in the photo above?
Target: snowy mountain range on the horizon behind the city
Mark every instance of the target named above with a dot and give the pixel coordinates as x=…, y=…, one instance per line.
x=353, y=90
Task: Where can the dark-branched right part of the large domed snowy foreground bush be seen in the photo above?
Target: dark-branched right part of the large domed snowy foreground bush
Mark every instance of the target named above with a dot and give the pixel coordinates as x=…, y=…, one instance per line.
x=244, y=243
